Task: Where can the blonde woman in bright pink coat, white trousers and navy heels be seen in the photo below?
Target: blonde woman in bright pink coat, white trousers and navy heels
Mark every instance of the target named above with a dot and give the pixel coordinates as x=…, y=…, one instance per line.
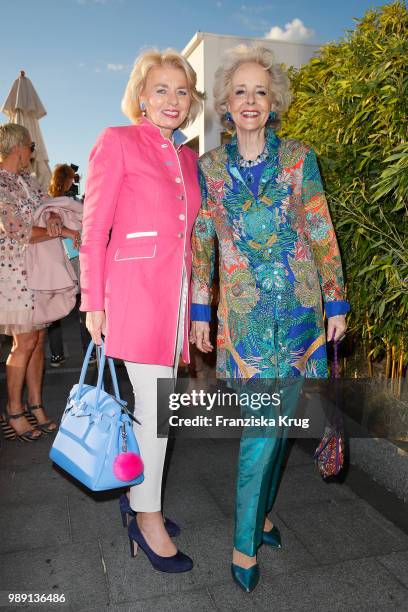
x=142, y=197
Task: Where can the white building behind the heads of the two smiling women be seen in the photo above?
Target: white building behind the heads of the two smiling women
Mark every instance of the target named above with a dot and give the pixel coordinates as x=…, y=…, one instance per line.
x=204, y=52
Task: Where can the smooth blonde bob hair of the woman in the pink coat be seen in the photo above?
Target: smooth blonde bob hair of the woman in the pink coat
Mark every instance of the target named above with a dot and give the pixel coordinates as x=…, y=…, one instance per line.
x=137, y=81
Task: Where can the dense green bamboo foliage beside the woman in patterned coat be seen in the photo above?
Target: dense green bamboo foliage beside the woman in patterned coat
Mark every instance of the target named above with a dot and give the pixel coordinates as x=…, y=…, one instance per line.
x=350, y=103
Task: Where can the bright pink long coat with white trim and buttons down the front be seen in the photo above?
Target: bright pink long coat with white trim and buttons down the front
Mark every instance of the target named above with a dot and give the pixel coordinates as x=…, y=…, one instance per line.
x=141, y=200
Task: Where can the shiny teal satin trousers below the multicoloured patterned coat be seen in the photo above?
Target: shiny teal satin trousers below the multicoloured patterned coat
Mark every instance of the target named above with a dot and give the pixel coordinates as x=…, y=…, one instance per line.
x=259, y=469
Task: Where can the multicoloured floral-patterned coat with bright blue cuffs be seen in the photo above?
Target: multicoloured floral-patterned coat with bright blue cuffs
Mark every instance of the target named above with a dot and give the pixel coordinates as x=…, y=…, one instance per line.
x=278, y=257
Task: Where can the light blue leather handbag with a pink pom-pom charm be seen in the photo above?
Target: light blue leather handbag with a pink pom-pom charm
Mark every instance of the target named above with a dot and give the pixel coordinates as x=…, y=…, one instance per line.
x=95, y=442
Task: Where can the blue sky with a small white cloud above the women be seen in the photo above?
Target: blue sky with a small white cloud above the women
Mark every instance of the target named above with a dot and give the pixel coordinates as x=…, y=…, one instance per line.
x=78, y=53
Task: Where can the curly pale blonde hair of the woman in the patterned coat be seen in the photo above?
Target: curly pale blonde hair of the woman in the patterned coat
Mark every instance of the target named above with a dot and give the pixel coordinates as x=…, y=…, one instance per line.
x=279, y=82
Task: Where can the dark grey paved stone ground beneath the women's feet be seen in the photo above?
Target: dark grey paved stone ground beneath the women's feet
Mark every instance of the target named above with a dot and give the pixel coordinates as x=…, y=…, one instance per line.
x=340, y=550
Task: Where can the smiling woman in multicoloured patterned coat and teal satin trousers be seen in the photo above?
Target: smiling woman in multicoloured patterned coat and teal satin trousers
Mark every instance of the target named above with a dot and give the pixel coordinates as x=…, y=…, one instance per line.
x=262, y=197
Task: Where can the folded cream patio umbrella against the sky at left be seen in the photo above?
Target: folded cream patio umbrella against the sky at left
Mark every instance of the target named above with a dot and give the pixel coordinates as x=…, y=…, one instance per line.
x=23, y=106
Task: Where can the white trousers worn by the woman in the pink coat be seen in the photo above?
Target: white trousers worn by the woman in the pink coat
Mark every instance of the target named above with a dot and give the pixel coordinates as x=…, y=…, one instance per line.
x=146, y=497
